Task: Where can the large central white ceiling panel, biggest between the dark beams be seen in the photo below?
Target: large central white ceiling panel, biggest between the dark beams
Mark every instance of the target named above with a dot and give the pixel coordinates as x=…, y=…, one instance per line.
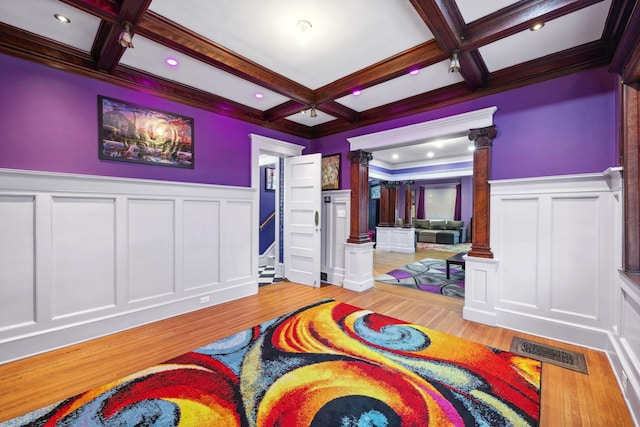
x=266, y=32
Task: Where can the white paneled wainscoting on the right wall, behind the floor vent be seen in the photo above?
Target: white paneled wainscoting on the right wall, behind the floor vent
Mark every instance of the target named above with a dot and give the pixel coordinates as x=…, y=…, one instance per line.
x=554, y=241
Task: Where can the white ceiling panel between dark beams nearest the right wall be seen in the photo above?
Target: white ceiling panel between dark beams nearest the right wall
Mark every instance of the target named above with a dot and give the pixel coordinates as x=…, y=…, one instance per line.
x=587, y=25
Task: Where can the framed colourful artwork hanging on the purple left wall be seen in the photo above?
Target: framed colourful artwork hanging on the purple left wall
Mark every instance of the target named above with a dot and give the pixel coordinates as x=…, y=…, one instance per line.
x=134, y=134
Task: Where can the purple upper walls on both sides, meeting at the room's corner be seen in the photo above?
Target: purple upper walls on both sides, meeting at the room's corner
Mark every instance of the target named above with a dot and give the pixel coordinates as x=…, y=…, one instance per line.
x=49, y=123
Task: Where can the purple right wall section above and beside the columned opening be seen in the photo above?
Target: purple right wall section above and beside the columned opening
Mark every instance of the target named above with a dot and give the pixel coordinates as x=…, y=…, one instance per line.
x=563, y=126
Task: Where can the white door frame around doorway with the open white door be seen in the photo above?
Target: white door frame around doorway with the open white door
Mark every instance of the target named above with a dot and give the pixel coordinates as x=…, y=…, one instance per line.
x=275, y=147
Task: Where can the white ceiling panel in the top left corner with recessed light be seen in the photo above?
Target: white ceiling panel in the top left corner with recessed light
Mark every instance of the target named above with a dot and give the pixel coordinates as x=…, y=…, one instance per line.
x=79, y=33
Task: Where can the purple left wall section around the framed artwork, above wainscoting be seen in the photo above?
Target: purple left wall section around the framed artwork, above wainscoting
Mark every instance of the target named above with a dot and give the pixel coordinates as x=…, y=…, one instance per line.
x=50, y=123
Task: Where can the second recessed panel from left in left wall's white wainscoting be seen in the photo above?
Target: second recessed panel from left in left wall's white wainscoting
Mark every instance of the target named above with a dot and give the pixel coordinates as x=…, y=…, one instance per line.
x=83, y=254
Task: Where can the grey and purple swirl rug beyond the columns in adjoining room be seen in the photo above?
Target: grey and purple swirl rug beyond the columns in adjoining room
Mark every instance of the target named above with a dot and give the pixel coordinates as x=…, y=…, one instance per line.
x=428, y=275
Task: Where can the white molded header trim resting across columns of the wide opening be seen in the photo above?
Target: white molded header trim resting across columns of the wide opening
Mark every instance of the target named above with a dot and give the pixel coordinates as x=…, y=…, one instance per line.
x=458, y=124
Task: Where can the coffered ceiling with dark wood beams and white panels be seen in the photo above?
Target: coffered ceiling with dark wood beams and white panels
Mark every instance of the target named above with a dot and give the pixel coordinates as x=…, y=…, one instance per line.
x=301, y=55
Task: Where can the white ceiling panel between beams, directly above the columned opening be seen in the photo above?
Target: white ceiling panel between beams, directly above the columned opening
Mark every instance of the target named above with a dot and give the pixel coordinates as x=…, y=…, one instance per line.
x=429, y=78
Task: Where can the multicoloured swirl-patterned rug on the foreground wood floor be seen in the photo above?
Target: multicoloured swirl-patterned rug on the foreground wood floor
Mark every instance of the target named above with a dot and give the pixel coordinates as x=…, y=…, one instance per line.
x=328, y=364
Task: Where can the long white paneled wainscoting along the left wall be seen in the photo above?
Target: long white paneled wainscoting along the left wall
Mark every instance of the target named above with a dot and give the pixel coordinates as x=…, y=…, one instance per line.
x=84, y=256
